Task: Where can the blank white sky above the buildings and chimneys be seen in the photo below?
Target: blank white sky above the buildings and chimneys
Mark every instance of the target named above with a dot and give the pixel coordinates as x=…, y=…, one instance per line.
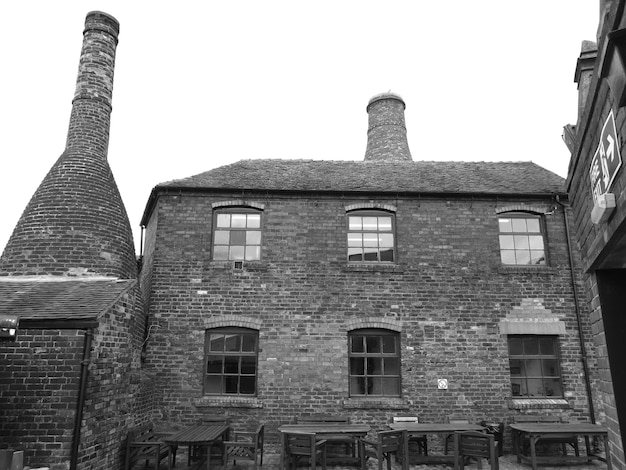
x=200, y=84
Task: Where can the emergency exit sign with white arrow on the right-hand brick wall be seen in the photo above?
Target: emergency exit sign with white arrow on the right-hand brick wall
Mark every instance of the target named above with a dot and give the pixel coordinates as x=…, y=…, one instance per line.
x=606, y=161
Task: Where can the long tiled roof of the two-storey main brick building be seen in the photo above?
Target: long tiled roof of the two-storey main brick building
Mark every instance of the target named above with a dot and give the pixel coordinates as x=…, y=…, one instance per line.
x=360, y=176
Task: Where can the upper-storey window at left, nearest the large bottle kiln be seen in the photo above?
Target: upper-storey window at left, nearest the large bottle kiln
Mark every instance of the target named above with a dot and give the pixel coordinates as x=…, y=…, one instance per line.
x=237, y=235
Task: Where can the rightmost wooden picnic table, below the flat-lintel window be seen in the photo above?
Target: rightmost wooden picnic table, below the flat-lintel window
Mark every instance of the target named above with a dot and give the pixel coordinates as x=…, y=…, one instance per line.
x=535, y=431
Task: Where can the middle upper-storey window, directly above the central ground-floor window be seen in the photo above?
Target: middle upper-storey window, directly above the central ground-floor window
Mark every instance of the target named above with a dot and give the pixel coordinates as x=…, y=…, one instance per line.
x=371, y=236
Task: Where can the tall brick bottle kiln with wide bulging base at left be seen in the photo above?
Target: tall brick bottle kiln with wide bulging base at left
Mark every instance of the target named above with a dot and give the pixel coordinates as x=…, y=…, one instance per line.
x=76, y=224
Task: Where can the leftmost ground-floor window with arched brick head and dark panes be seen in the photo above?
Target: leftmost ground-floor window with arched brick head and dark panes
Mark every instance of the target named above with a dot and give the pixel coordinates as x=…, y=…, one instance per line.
x=231, y=361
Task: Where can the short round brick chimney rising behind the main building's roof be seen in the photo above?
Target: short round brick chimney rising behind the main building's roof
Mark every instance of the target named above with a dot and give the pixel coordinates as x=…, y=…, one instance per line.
x=386, y=133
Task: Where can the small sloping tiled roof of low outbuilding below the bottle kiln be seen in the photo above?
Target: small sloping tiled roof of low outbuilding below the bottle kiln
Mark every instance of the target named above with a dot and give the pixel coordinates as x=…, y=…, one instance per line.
x=39, y=298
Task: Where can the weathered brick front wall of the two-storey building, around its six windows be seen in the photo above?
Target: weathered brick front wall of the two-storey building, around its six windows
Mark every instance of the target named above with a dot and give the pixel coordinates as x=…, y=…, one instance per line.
x=446, y=295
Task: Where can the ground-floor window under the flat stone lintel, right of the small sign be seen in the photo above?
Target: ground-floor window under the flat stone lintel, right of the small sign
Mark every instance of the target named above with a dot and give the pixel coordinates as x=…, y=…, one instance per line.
x=534, y=364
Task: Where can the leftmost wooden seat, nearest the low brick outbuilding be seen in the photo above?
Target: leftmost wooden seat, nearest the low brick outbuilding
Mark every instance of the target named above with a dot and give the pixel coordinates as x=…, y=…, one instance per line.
x=144, y=443
